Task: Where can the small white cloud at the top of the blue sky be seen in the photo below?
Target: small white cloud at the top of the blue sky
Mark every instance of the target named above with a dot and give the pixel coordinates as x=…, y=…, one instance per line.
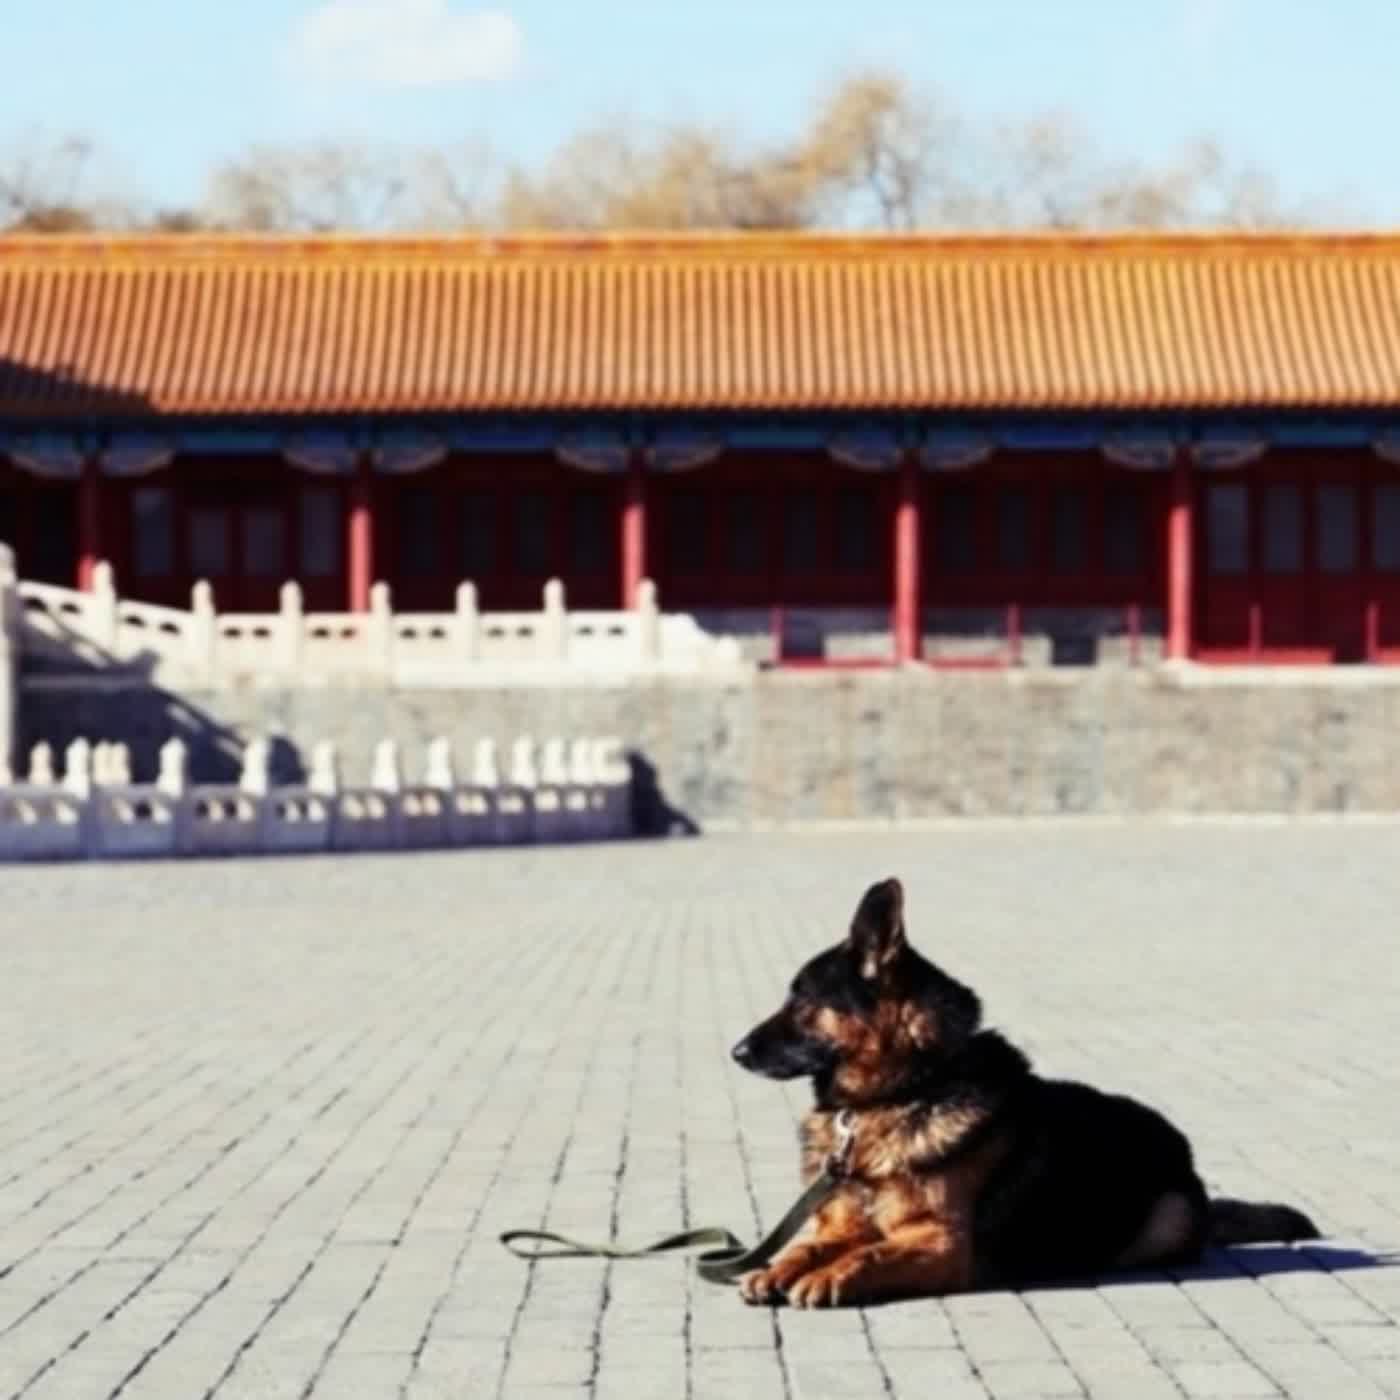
x=407, y=43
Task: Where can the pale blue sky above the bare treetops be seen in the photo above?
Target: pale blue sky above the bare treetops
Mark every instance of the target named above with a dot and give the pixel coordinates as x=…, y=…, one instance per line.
x=169, y=87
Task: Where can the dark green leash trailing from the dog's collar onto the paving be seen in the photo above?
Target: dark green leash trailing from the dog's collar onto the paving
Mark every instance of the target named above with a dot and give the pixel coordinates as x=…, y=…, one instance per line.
x=729, y=1259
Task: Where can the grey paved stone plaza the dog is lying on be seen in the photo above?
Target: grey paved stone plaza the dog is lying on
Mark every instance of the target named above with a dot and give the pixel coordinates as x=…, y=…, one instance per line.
x=262, y=1123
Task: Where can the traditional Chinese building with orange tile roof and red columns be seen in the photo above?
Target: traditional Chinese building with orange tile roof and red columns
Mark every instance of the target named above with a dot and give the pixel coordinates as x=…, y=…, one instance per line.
x=876, y=447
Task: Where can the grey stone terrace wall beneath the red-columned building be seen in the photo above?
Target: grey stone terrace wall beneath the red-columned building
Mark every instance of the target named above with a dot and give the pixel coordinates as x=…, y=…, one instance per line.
x=828, y=747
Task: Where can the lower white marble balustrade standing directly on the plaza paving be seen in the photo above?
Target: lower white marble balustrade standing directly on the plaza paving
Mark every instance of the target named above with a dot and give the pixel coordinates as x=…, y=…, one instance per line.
x=565, y=790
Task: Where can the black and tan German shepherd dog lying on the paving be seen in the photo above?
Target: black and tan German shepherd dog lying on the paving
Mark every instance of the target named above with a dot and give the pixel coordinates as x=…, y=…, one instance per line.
x=965, y=1170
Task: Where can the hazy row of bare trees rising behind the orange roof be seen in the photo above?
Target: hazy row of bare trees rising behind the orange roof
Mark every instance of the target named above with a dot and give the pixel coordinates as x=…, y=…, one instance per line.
x=876, y=153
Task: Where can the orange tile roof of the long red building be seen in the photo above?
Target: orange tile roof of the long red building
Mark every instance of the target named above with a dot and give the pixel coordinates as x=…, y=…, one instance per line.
x=236, y=325
